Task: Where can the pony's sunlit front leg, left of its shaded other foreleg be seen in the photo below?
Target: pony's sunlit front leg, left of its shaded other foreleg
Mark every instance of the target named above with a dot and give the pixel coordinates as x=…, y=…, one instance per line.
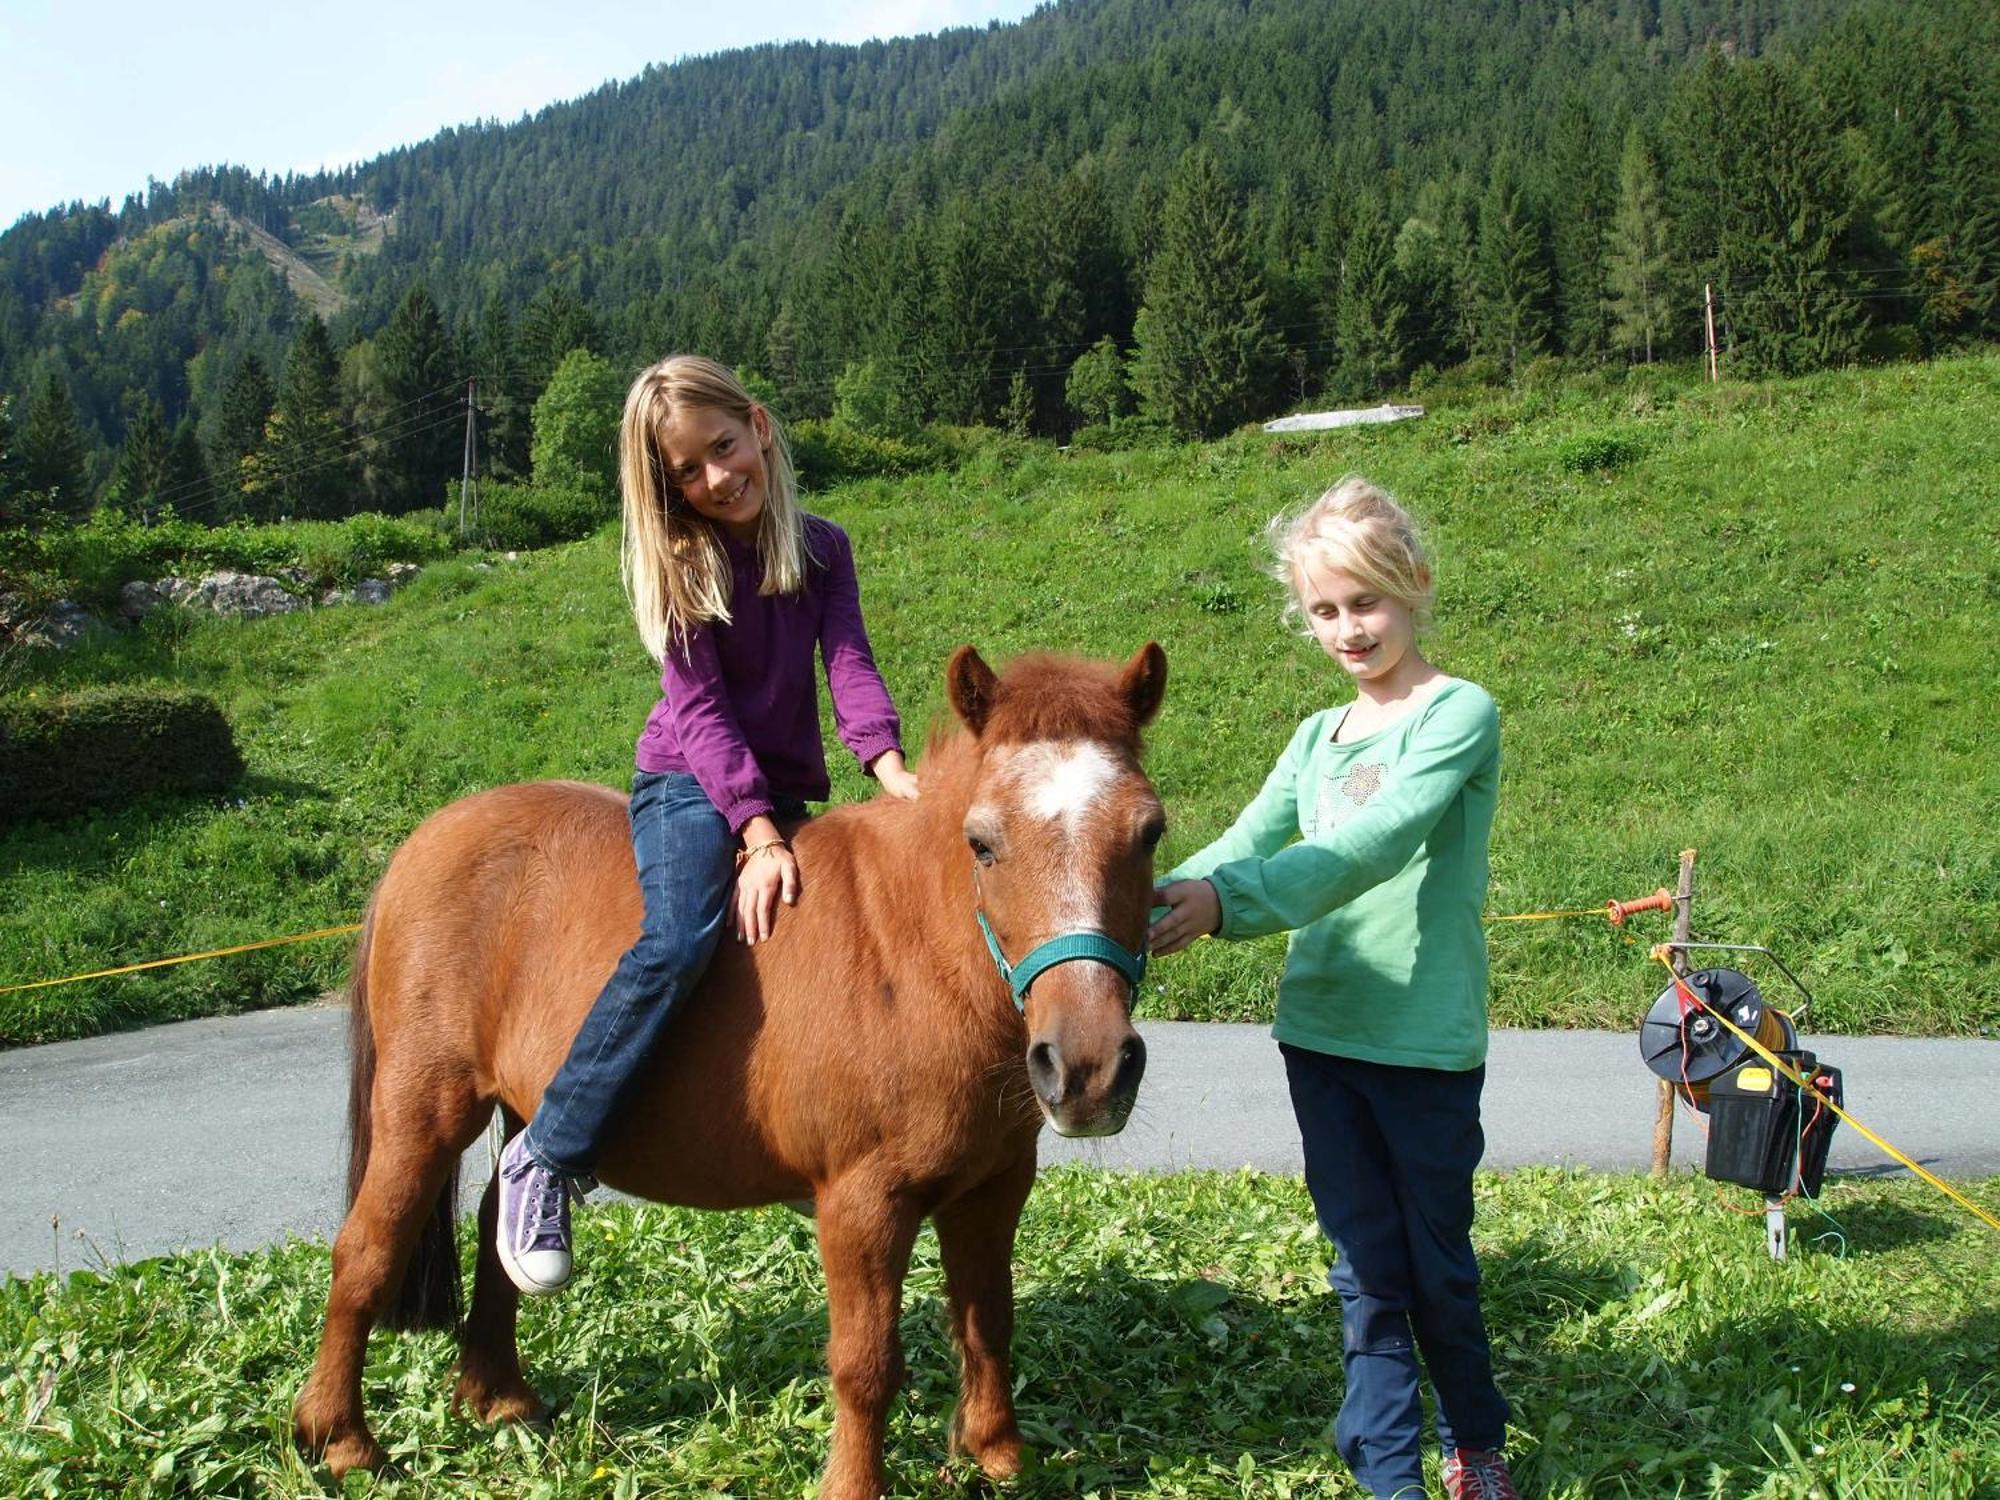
x=867, y=1231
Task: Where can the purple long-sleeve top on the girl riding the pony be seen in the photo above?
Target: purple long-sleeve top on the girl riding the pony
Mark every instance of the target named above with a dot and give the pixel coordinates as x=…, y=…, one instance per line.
x=741, y=705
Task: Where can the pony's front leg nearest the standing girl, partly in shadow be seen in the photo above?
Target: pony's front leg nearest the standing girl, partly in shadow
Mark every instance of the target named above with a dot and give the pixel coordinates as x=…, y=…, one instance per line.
x=977, y=1245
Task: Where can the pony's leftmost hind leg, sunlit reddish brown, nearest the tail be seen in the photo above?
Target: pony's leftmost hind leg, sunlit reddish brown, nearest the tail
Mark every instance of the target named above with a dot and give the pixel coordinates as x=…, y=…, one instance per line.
x=417, y=1139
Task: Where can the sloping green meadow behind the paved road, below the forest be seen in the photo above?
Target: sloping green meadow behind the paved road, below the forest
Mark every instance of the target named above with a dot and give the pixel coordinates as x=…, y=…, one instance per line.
x=1755, y=621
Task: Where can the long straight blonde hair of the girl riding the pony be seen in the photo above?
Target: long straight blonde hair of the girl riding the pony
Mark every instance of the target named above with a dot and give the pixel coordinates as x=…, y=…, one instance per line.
x=675, y=569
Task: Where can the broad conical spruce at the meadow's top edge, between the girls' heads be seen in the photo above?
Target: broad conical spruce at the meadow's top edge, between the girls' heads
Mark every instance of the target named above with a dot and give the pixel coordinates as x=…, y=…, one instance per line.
x=1205, y=355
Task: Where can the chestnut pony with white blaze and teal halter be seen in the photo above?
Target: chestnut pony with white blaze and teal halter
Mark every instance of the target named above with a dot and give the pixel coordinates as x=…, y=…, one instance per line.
x=873, y=1057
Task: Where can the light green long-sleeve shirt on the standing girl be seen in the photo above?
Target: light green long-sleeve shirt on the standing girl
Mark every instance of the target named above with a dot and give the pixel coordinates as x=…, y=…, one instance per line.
x=1385, y=887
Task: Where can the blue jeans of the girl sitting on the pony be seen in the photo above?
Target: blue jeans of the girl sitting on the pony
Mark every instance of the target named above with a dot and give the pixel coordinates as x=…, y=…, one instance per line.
x=687, y=867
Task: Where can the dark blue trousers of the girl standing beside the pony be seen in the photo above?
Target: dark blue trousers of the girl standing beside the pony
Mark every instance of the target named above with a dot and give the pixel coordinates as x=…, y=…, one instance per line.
x=1389, y=1165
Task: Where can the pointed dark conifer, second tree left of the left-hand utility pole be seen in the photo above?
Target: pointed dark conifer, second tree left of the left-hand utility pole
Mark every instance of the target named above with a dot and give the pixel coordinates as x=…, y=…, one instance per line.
x=305, y=467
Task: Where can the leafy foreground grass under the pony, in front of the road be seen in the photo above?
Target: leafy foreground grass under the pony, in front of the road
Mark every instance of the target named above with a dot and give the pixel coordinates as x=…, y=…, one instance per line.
x=1175, y=1341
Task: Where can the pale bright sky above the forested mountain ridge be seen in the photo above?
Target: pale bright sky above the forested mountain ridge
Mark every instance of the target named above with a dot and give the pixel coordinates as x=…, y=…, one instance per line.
x=101, y=95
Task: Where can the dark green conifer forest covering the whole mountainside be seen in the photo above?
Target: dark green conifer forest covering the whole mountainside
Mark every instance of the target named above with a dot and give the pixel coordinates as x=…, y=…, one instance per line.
x=1175, y=215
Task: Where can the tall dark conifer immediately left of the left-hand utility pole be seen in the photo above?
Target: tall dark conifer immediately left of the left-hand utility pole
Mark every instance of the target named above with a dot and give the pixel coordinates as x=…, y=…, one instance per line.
x=421, y=447
